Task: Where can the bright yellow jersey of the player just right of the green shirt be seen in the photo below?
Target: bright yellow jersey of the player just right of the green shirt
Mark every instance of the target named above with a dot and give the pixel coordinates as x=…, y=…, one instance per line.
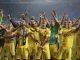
x=67, y=37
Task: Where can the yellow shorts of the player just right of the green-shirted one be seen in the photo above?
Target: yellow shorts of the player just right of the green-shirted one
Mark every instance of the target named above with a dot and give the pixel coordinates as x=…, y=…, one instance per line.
x=65, y=53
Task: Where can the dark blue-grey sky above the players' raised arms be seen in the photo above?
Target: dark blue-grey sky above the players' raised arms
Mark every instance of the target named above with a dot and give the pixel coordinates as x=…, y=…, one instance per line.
x=16, y=7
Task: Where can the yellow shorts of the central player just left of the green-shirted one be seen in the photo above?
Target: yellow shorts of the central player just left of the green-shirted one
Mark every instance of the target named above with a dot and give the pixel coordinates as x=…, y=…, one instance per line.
x=45, y=52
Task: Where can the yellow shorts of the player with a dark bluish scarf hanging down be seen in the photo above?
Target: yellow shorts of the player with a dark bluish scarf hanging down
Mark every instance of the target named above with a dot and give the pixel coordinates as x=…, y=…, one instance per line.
x=21, y=52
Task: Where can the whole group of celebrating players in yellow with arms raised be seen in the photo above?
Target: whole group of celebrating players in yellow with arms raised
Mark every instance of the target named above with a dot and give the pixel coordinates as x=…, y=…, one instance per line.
x=42, y=39
